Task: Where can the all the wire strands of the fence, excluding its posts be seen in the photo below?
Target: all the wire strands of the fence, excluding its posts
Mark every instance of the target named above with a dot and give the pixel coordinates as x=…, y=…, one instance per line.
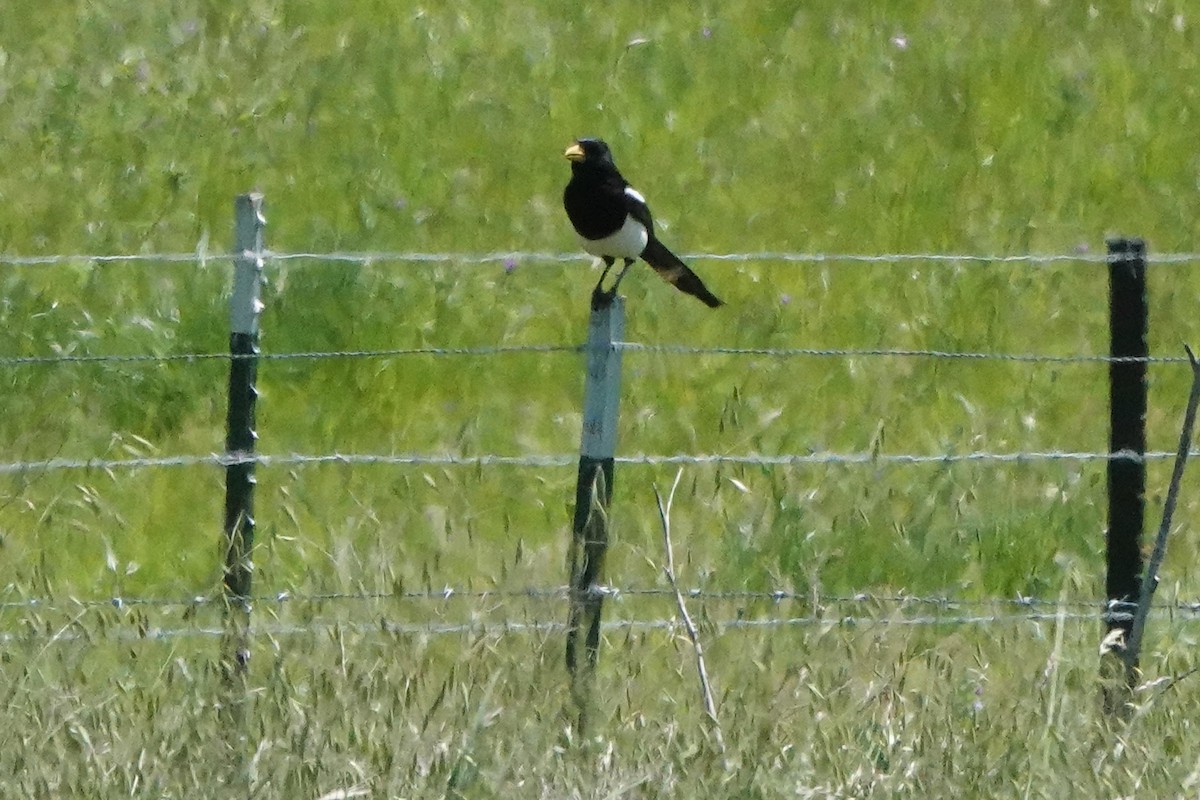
x=861, y=609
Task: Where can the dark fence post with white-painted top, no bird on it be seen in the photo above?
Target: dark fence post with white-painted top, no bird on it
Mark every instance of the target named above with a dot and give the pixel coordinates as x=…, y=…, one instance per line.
x=245, y=306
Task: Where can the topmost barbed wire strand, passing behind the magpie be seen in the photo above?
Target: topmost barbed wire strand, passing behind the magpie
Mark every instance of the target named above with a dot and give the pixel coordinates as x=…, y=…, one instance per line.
x=512, y=258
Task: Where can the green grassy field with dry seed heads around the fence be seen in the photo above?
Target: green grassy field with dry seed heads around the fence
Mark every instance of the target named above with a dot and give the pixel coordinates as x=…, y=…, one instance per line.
x=977, y=128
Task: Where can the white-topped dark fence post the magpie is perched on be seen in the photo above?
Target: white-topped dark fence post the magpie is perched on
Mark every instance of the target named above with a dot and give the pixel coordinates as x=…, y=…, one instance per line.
x=593, y=494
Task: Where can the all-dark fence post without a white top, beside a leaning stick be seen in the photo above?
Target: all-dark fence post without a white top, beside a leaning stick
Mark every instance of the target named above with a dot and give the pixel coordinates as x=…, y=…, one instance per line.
x=1129, y=326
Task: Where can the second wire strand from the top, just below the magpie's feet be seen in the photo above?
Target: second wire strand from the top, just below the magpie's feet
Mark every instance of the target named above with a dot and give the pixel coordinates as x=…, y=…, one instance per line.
x=633, y=347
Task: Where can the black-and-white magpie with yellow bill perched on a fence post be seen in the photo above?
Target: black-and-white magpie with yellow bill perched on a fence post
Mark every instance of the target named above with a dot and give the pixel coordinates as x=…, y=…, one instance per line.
x=614, y=221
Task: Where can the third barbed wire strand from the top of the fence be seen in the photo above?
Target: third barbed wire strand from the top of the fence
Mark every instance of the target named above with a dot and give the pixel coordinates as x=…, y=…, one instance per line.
x=567, y=460
